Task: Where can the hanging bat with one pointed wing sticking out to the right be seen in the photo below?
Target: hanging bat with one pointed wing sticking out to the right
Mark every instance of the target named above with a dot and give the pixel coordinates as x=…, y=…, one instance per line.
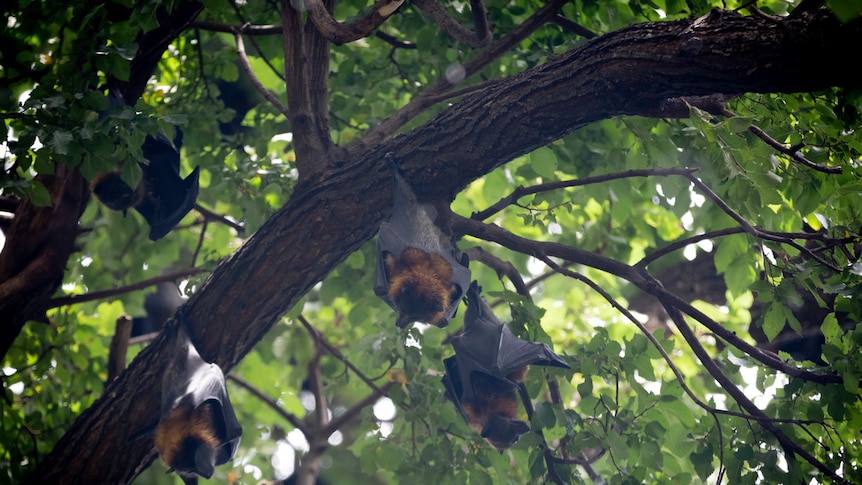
x=483, y=375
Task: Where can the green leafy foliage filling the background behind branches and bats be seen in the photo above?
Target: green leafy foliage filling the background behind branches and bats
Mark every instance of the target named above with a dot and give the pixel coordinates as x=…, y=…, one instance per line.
x=623, y=407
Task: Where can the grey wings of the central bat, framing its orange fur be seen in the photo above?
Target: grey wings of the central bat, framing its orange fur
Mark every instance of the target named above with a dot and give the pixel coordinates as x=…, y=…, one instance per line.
x=411, y=226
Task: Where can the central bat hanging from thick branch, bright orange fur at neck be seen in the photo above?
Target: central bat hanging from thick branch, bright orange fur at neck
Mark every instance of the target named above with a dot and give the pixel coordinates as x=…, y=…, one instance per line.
x=418, y=272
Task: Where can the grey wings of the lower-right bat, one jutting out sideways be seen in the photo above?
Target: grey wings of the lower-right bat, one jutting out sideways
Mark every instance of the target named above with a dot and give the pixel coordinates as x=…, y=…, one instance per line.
x=487, y=345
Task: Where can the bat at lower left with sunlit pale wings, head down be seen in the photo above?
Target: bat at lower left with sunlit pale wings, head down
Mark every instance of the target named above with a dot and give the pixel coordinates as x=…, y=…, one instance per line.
x=198, y=429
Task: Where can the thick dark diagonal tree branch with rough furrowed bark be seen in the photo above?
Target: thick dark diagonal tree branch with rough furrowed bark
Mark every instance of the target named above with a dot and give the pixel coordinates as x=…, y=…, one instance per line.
x=633, y=71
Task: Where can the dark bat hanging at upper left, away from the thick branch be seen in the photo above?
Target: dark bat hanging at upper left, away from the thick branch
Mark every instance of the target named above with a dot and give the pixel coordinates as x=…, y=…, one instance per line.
x=162, y=197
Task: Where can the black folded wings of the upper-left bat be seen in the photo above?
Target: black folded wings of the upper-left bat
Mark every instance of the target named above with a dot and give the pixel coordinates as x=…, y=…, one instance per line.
x=168, y=197
